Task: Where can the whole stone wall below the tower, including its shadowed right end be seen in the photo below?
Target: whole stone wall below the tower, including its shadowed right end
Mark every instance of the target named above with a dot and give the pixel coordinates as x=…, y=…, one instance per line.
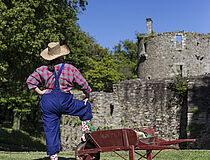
x=151, y=103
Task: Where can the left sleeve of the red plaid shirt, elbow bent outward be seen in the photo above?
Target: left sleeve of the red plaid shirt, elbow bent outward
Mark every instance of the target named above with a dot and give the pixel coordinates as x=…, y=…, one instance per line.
x=33, y=80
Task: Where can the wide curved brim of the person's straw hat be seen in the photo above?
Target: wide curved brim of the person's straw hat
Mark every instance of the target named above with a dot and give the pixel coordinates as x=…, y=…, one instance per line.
x=64, y=51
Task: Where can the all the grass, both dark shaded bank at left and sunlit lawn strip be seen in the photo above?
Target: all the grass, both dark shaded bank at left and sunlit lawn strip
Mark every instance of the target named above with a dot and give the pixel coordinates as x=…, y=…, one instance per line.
x=19, y=145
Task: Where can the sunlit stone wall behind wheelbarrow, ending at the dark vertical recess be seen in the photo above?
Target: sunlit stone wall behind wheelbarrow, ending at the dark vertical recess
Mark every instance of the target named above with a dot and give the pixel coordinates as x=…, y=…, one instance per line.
x=133, y=103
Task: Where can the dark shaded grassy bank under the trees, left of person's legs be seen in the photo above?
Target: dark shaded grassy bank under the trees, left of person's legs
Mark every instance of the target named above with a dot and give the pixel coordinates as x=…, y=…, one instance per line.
x=16, y=141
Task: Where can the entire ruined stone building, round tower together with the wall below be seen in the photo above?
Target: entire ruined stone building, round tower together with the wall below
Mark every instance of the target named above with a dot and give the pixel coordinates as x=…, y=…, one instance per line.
x=151, y=100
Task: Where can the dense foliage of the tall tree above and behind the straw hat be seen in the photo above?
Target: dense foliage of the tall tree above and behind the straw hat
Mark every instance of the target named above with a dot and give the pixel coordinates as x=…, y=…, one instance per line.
x=27, y=26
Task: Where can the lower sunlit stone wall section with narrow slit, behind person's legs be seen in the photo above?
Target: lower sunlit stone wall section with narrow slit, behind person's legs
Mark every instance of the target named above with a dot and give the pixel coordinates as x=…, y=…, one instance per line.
x=104, y=117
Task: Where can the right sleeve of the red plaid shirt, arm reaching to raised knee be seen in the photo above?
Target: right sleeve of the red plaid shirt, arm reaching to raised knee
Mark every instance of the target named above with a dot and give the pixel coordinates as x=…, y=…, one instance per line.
x=81, y=81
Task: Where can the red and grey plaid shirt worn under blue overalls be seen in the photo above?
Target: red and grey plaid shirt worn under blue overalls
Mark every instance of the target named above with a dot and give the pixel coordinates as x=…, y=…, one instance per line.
x=69, y=75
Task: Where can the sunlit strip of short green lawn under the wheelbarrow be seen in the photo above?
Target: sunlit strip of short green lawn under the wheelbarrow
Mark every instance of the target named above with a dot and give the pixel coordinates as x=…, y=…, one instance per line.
x=164, y=155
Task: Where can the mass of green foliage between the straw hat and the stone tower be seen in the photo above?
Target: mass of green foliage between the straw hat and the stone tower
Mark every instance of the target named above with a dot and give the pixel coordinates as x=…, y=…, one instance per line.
x=103, y=68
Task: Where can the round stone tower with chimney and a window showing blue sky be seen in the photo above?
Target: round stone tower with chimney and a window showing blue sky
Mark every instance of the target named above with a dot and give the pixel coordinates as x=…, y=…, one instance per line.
x=168, y=54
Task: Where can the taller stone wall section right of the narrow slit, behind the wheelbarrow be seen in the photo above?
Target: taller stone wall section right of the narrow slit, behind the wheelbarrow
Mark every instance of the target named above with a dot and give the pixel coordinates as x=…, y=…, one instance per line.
x=150, y=103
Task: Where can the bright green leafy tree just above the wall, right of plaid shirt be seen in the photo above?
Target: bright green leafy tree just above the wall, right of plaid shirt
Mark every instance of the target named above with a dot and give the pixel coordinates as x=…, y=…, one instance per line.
x=103, y=72
